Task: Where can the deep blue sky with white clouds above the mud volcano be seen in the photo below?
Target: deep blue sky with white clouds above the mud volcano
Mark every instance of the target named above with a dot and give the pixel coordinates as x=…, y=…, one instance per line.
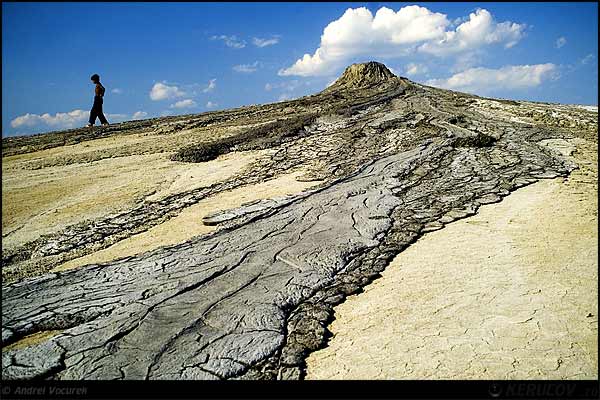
x=180, y=58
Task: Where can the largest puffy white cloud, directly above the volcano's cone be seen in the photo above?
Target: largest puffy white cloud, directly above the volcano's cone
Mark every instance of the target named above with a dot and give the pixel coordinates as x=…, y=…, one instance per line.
x=390, y=34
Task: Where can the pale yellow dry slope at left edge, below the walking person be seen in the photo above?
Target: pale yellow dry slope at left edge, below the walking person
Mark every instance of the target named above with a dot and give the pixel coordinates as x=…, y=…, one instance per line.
x=46, y=200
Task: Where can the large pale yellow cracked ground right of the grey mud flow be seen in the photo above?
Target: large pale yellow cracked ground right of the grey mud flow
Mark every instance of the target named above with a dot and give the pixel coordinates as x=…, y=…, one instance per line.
x=510, y=293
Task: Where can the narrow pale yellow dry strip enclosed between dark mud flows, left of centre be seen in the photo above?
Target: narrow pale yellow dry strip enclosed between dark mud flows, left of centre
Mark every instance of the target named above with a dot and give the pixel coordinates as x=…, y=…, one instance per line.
x=189, y=222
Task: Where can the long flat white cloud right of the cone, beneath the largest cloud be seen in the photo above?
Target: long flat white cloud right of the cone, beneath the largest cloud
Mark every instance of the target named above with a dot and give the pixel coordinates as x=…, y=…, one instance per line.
x=486, y=80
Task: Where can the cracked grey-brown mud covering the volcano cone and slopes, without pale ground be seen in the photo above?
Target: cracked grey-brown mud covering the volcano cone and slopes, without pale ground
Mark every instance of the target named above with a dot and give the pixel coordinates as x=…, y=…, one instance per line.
x=391, y=160
